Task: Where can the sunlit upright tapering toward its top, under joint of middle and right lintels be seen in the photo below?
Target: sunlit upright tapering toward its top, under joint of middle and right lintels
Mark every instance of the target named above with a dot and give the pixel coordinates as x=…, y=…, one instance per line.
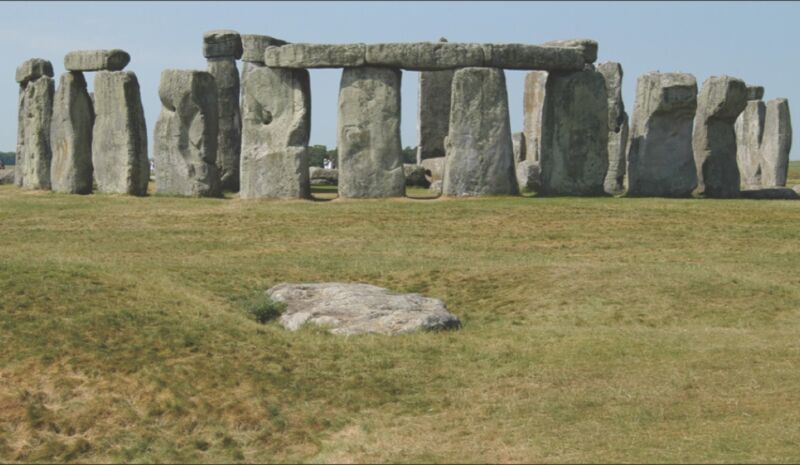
x=480, y=155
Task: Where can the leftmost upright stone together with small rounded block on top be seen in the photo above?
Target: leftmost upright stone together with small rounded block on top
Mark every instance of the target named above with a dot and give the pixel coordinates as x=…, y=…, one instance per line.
x=36, y=89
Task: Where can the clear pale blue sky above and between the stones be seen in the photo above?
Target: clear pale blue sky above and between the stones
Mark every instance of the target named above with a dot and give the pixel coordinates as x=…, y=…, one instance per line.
x=755, y=41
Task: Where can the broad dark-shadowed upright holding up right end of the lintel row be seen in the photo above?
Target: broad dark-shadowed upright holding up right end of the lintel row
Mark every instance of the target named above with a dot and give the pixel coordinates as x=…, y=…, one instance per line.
x=574, y=147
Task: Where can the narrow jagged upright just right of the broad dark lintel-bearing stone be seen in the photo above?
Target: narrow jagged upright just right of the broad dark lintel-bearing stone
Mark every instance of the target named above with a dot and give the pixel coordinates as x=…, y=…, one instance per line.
x=617, y=127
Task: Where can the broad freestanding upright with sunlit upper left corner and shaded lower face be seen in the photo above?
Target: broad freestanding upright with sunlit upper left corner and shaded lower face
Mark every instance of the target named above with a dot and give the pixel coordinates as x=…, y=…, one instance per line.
x=660, y=159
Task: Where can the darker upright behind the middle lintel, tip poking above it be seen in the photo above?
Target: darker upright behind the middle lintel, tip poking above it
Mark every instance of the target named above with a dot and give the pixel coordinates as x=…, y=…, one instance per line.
x=434, y=112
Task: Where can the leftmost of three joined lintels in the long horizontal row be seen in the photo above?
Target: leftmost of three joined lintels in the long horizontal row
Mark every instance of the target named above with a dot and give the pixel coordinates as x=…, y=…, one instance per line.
x=315, y=56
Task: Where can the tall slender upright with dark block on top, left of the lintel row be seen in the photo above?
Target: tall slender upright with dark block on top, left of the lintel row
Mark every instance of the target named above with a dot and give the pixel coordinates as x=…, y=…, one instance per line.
x=222, y=48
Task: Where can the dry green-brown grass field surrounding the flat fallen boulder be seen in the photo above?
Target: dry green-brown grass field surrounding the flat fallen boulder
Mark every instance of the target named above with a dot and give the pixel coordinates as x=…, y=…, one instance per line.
x=594, y=330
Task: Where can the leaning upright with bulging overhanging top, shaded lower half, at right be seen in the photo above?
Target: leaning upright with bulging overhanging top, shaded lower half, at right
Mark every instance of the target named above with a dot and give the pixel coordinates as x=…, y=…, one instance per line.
x=720, y=102
